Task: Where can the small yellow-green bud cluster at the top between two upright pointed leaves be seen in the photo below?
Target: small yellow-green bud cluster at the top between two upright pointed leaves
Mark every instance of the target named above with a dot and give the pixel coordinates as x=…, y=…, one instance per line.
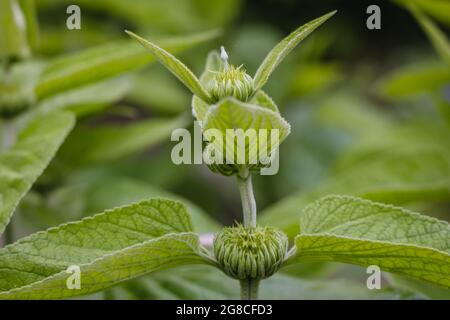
x=231, y=82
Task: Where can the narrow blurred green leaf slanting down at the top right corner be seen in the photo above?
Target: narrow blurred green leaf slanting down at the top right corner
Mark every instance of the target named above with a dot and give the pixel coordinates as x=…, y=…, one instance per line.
x=437, y=37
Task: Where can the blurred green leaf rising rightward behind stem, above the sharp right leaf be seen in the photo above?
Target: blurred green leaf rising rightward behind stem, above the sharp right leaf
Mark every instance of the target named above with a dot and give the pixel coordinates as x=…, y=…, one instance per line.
x=395, y=177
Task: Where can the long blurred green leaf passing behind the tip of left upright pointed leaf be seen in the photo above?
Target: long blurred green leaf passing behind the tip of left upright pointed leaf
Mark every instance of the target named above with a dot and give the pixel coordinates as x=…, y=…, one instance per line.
x=104, y=61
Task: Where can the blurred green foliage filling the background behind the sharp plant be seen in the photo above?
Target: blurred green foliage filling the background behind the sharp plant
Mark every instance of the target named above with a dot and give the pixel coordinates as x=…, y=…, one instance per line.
x=369, y=114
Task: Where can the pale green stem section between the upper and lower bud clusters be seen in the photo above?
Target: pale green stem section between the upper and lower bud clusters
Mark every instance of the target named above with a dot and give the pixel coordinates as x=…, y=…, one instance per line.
x=247, y=197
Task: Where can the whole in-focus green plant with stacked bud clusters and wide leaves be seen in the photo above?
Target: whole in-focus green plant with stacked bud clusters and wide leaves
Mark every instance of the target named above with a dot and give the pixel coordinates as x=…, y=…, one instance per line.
x=130, y=241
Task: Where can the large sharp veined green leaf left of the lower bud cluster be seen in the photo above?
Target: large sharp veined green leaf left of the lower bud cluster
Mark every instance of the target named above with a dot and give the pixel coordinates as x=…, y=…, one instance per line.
x=110, y=247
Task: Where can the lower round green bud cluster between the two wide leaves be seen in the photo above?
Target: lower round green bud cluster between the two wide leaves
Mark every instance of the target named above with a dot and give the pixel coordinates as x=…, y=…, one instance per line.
x=250, y=253
